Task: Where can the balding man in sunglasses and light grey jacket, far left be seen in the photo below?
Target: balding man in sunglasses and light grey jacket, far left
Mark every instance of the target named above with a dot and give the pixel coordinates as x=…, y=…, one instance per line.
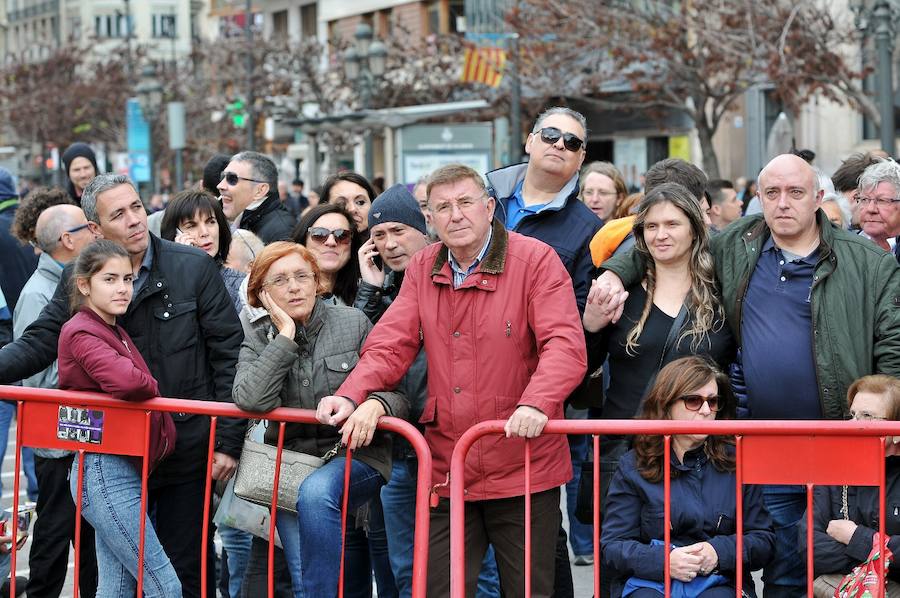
x=61, y=231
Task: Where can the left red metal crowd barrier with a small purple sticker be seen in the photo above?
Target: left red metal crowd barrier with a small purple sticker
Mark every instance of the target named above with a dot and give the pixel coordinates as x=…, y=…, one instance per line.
x=124, y=429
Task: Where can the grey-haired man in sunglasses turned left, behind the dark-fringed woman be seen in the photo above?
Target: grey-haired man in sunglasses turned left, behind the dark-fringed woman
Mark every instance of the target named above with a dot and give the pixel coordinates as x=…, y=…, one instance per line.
x=249, y=194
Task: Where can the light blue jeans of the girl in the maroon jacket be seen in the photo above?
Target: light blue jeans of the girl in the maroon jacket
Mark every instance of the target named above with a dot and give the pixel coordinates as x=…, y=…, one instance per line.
x=111, y=501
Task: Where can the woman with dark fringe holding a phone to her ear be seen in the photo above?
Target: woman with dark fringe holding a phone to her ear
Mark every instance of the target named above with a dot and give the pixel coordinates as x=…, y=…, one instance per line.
x=195, y=218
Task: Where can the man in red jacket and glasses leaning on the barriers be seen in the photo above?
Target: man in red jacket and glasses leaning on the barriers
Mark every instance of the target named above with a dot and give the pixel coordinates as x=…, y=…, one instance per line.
x=496, y=312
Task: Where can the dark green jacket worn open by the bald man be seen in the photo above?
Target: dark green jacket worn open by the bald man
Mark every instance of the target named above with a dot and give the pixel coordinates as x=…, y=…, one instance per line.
x=855, y=301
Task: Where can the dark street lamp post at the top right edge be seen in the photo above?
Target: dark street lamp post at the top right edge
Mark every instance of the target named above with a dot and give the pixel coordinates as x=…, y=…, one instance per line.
x=879, y=20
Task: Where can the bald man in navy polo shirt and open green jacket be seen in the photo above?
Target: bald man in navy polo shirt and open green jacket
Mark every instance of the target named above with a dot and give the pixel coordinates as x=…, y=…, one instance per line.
x=813, y=308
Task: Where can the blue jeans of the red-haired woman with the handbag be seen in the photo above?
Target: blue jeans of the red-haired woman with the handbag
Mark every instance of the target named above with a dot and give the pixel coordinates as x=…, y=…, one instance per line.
x=312, y=538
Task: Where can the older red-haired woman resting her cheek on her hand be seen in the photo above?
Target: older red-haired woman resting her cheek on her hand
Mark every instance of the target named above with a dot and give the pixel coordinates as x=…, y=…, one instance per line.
x=297, y=354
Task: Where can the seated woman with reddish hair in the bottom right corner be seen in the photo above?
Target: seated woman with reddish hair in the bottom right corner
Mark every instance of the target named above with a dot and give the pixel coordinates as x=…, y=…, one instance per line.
x=845, y=518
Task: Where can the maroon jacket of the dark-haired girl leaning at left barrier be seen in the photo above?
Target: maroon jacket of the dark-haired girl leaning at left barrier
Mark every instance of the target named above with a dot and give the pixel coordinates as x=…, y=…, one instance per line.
x=97, y=357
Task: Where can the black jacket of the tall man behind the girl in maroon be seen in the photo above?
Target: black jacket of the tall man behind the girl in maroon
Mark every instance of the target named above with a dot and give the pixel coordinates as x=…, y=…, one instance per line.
x=184, y=325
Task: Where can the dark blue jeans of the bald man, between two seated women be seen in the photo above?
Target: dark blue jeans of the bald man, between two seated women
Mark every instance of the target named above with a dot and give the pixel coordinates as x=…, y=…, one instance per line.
x=786, y=574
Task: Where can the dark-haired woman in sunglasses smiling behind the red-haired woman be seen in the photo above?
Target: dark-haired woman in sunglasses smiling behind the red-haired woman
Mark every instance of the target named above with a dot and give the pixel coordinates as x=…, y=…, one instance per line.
x=330, y=233
